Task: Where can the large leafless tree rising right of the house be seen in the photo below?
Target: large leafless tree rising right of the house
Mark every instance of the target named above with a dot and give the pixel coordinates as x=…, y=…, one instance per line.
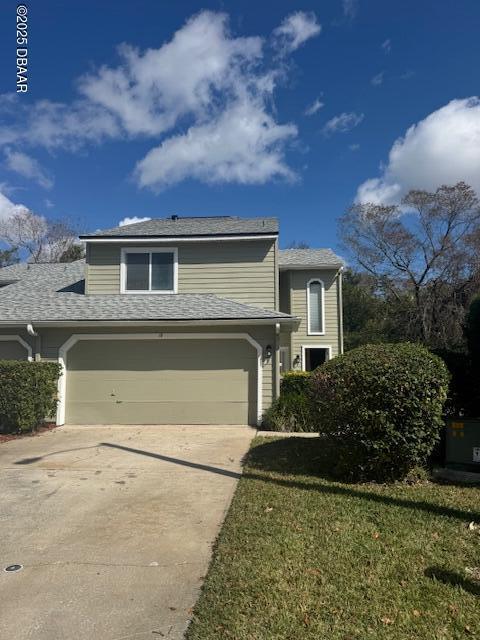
x=424, y=253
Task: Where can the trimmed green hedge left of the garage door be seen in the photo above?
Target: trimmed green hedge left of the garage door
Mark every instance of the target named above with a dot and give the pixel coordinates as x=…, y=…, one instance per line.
x=27, y=394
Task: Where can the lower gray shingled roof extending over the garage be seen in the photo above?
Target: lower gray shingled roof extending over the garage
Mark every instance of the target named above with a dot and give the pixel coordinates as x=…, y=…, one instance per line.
x=55, y=292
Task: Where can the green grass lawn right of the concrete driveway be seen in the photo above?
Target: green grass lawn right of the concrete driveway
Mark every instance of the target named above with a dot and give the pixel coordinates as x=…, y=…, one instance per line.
x=303, y=557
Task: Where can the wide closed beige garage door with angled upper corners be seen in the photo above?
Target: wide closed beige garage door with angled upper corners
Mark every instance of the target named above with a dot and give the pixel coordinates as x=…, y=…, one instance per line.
x=181, y=381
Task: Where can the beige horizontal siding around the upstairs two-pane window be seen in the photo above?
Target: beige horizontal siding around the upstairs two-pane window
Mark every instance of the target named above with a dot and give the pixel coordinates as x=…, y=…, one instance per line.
x=240, y=270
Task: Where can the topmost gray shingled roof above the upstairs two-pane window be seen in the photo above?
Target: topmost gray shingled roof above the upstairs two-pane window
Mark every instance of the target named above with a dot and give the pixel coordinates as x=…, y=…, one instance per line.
x=200, y=226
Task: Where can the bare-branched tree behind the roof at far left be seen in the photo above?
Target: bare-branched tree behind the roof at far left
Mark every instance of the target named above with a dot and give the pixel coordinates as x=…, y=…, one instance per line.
x=41, y=240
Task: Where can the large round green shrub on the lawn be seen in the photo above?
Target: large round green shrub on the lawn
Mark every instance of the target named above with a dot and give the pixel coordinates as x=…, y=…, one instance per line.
x=382, y=407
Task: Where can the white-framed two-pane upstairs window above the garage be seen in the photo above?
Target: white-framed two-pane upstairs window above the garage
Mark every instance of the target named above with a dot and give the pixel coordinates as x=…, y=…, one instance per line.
x=149, y=271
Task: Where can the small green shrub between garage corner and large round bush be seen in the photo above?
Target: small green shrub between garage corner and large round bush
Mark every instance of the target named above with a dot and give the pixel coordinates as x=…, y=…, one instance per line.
x=292, y=411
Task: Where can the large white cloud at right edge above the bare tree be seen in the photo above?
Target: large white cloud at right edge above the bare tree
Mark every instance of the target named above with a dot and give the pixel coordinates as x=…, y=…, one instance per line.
x=444, y=148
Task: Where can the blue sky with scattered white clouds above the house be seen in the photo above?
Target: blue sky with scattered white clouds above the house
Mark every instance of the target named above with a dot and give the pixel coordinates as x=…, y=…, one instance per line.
x=214, y=120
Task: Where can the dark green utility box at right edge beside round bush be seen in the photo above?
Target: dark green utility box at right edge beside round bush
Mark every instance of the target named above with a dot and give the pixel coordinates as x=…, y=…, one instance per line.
x=463, y=443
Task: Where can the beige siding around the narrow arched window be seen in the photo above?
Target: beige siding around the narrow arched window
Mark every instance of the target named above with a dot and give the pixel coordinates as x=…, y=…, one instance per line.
x=297, y=289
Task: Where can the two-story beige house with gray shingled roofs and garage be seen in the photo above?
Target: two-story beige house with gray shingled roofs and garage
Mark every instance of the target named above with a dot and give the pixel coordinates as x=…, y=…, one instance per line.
x=175, y=320
